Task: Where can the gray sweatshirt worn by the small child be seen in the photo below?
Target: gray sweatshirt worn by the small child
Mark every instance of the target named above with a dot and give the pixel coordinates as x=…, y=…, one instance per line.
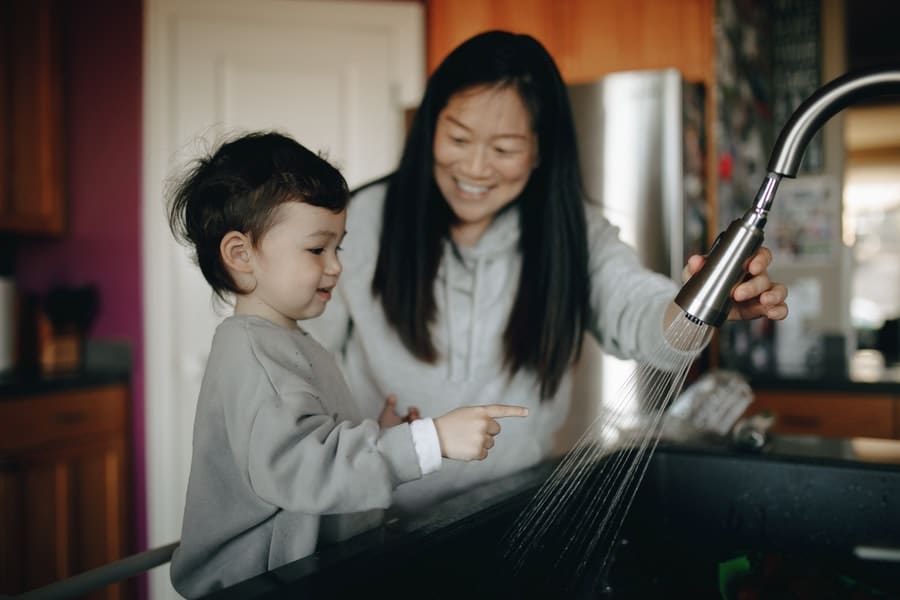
x=281, y=457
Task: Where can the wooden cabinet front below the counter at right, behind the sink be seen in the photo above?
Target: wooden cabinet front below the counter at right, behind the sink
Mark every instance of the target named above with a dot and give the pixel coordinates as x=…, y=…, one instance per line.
x=830, y=414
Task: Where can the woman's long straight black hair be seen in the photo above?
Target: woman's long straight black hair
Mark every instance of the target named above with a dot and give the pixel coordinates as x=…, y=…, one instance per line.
x=547, y=322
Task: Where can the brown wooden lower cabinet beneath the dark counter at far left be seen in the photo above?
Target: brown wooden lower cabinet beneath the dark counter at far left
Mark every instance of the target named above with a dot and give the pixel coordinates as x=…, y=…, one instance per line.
x=64, y=487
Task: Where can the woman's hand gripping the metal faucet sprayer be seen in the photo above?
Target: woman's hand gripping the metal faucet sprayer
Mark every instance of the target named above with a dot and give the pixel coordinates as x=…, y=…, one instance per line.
x=756, y=297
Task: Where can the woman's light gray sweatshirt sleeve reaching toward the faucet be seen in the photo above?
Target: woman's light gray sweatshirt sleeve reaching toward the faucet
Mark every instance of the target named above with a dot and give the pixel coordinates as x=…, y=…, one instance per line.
x=628, y=301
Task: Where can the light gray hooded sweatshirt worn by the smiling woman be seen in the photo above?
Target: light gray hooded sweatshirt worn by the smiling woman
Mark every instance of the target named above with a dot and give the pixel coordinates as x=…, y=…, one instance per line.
x=474, y=298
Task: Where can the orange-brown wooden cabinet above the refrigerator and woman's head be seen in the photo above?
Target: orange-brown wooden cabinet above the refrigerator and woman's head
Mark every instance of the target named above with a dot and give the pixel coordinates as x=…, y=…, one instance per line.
x=587, y=38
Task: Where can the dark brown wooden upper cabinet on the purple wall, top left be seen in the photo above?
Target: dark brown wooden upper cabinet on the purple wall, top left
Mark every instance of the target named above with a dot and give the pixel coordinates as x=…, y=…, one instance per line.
x=32, y=198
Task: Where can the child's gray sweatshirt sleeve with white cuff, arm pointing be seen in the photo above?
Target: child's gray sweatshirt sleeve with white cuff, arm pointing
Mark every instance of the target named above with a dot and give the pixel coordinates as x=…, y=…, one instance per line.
x=300, y=459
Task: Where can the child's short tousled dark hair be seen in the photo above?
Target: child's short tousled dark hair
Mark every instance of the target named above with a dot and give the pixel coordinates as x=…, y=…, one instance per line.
x=239, y=186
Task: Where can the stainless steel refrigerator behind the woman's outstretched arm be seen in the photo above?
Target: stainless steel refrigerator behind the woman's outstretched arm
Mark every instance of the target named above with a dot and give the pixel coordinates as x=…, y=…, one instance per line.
x=642, y=142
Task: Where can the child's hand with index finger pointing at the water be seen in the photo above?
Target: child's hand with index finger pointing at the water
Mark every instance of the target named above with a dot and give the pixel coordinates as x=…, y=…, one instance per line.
x=467, y=433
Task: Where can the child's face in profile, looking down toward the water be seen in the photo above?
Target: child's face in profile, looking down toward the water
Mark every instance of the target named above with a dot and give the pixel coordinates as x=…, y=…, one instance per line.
x=295, y=265
